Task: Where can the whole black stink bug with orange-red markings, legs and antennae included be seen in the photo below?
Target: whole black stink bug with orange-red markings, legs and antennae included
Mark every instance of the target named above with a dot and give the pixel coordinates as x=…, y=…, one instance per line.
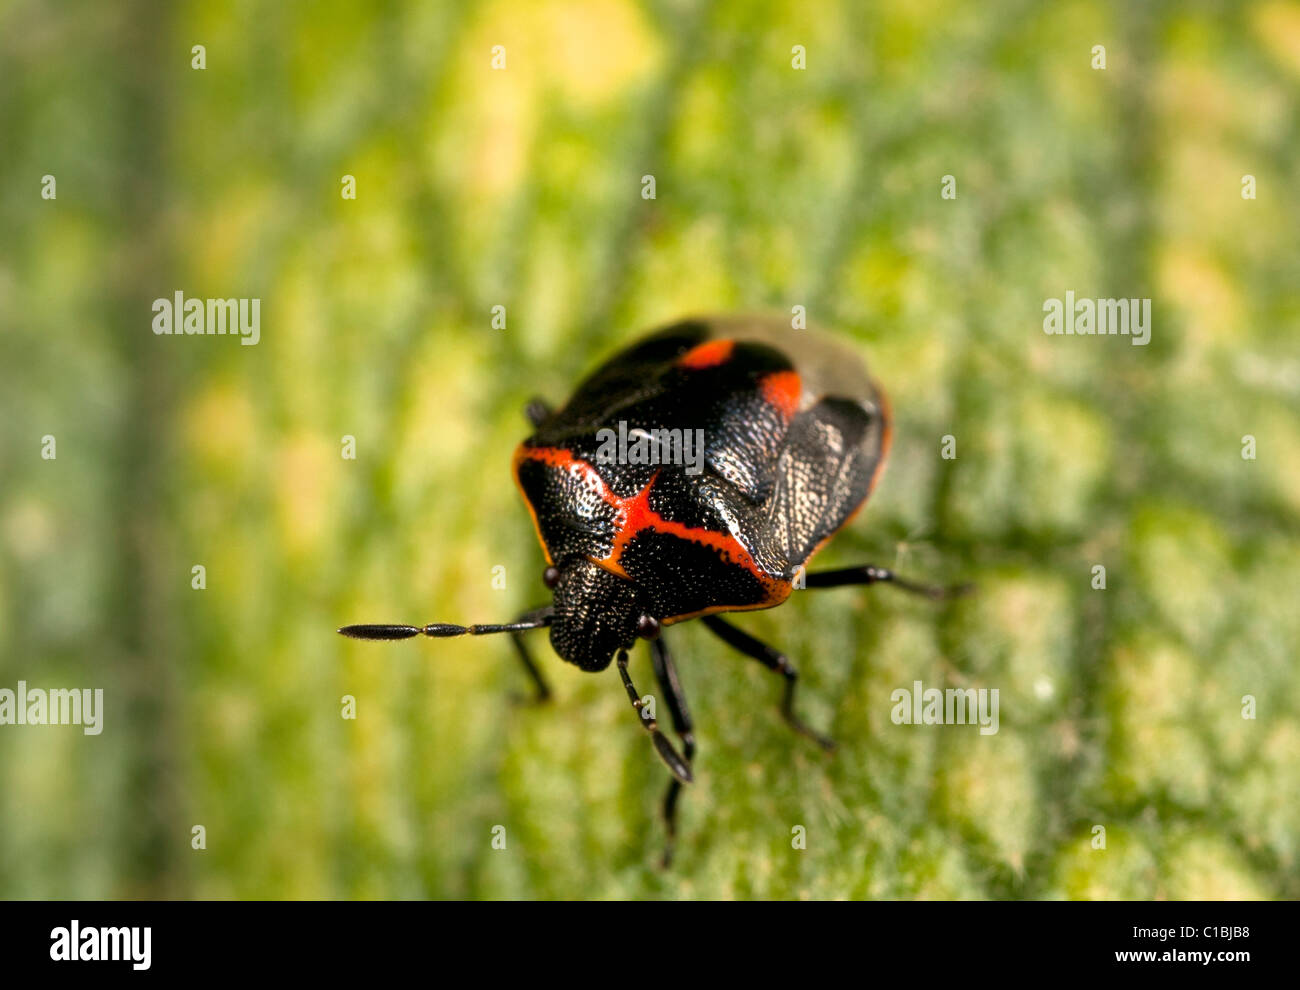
x=751, y=445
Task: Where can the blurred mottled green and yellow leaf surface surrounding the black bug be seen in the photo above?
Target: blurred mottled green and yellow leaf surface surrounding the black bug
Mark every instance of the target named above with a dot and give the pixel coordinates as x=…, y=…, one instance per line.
x=775, y=188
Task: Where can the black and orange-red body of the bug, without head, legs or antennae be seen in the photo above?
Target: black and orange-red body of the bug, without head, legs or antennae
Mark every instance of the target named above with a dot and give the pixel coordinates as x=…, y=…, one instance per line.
x=795, y=436
